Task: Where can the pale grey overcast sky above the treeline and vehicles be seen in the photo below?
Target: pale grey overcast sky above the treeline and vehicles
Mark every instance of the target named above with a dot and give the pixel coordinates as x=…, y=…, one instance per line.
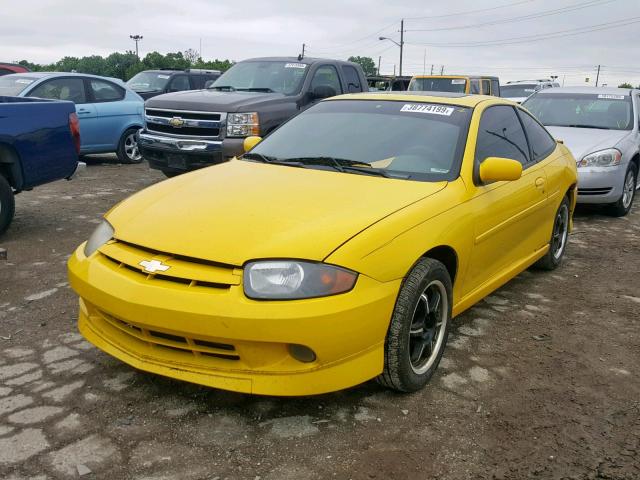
x=464, y=36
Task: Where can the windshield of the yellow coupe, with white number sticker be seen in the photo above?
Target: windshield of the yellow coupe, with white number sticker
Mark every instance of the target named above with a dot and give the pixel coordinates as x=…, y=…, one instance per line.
x=418, y=141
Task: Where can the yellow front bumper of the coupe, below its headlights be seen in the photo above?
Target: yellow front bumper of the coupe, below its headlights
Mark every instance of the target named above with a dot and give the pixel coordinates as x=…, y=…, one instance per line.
x=220, y=338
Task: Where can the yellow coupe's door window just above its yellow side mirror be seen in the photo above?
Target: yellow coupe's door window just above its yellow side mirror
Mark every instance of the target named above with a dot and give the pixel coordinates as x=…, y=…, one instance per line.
x=501, y=135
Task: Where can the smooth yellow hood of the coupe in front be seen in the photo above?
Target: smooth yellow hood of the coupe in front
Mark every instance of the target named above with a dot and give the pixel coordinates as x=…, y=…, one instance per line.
x=238, y=211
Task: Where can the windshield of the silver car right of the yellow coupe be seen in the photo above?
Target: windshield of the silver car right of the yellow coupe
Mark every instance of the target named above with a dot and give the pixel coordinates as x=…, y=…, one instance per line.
x=585, y=110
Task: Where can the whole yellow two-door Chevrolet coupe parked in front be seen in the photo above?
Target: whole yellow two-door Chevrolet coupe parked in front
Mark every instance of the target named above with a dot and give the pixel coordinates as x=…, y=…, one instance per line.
x=336, y=250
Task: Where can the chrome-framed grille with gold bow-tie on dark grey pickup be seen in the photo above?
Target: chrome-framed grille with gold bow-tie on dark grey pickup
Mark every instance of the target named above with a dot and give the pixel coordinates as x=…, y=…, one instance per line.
x=182, y=123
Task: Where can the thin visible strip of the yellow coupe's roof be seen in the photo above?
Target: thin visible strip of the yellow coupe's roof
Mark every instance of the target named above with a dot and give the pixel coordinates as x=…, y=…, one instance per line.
x=461, y=99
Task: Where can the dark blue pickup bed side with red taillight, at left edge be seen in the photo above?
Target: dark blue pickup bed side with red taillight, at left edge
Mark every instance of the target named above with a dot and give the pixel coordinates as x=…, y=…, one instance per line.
x=38, y=131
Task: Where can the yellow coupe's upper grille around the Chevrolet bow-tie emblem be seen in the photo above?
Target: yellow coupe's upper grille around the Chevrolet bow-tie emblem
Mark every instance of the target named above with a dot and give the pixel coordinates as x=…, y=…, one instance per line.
x=185, y=271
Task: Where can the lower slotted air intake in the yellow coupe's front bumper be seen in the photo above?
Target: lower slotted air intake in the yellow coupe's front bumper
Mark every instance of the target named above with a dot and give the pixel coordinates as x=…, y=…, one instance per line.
x=171, y=341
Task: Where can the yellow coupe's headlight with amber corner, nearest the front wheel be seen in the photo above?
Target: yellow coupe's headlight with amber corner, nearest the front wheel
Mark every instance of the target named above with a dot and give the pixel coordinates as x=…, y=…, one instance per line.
x=291, y=279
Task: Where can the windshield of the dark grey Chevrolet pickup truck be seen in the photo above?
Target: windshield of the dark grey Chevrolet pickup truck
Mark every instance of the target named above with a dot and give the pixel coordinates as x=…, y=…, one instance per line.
x=263, y=76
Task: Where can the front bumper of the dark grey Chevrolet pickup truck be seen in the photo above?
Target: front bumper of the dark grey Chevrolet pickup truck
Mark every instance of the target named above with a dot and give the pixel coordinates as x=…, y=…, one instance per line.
x=180, y=155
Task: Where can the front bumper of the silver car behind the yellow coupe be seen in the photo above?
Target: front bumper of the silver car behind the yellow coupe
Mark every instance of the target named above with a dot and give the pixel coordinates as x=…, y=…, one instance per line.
x=600, y=184
